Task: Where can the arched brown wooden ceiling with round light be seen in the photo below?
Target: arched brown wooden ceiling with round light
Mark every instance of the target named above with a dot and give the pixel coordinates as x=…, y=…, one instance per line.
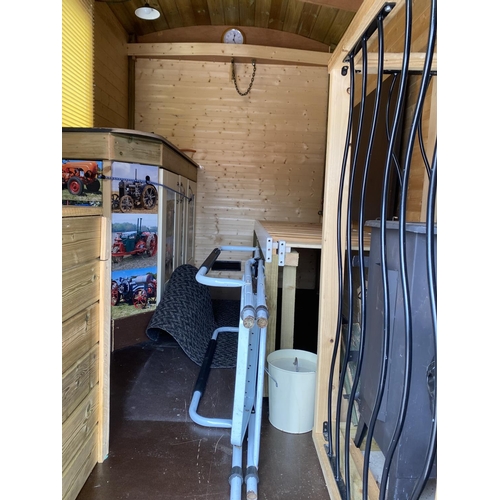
x=300, y=24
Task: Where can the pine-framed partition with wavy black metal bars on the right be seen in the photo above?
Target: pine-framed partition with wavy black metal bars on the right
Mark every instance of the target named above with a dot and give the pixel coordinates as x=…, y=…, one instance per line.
x=363, y=55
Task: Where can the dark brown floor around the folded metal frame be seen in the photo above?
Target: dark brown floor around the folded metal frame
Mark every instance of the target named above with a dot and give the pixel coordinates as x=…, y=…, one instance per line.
x=157, y=452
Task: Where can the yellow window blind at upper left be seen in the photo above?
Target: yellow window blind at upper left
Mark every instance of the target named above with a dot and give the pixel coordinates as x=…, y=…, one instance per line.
x=77, y=63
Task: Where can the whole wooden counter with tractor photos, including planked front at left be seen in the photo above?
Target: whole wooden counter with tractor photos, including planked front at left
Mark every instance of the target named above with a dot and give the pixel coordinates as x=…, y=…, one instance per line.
x=137, y=224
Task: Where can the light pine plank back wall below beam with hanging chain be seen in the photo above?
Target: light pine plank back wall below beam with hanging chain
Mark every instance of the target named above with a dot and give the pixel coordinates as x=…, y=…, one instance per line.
x=262, y=155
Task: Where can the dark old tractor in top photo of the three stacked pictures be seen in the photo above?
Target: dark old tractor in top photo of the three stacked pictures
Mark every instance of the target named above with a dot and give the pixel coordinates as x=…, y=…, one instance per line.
x=135, y=195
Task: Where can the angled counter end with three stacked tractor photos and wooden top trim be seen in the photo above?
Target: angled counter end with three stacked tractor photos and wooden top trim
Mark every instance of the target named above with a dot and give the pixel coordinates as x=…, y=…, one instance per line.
x=148, y=193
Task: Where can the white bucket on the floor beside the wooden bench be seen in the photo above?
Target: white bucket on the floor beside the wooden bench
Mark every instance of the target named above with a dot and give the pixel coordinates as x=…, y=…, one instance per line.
x=292, y=385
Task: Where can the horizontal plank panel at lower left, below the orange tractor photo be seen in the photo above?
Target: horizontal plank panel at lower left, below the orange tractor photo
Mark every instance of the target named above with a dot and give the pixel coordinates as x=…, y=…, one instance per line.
x=81, y=247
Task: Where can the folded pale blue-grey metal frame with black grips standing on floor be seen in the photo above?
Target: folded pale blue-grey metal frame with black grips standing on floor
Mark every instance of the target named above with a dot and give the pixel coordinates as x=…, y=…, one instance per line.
x=250, y=368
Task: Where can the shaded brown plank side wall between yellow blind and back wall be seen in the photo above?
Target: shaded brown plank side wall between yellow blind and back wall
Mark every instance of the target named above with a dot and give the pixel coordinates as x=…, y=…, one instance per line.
x=110, y=70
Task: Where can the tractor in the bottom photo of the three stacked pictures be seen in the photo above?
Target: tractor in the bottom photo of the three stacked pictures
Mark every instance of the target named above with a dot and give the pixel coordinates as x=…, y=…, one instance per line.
x=139, y=291
